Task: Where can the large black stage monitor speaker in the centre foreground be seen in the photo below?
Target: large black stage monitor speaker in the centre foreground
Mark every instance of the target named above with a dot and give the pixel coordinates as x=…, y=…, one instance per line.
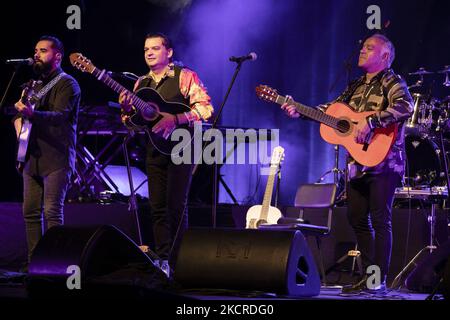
x=253, y=260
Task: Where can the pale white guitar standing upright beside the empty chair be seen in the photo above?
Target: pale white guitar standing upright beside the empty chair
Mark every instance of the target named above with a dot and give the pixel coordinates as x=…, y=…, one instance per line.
x=265, y=213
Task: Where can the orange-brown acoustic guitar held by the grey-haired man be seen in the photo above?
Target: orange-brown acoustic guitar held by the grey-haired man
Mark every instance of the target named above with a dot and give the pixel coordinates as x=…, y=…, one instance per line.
x=338, y=127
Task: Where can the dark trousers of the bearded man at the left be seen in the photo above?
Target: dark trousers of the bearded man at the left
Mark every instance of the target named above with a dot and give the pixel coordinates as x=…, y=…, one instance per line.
x=47, y=192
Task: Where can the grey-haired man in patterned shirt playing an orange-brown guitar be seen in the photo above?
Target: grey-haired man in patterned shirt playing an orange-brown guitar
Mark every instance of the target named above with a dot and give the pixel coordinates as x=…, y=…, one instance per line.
x=371, y=189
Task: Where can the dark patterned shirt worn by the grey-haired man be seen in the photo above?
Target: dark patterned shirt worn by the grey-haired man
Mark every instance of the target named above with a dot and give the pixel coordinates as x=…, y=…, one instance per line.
x=386, y=92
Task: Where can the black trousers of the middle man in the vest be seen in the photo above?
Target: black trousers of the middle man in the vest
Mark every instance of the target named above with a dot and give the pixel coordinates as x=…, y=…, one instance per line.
x=168, y=186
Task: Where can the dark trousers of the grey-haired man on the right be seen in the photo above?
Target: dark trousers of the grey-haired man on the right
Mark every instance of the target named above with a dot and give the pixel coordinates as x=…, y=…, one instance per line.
x=370, y=200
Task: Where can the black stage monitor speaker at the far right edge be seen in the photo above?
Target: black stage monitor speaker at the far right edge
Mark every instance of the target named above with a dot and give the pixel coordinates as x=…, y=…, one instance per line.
x=429, y=272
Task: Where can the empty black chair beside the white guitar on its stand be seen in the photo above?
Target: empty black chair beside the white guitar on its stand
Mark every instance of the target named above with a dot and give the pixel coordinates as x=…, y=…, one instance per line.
x=311, y=196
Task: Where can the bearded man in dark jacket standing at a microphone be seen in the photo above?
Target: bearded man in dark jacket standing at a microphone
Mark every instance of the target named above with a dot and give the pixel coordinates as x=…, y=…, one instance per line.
x=51, y=151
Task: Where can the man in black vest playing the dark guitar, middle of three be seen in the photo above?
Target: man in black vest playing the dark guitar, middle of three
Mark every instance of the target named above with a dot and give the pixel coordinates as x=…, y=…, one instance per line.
x=168, y=183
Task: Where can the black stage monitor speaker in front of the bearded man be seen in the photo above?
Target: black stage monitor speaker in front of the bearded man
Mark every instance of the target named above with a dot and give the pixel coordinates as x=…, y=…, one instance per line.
x=106, y=259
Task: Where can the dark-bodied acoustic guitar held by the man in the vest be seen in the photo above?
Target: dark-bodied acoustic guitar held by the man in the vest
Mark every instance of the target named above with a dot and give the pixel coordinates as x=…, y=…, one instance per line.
x=149, y=106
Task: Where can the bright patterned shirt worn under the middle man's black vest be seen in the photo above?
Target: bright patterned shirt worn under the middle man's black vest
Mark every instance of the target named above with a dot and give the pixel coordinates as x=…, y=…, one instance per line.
x=190, y=87
